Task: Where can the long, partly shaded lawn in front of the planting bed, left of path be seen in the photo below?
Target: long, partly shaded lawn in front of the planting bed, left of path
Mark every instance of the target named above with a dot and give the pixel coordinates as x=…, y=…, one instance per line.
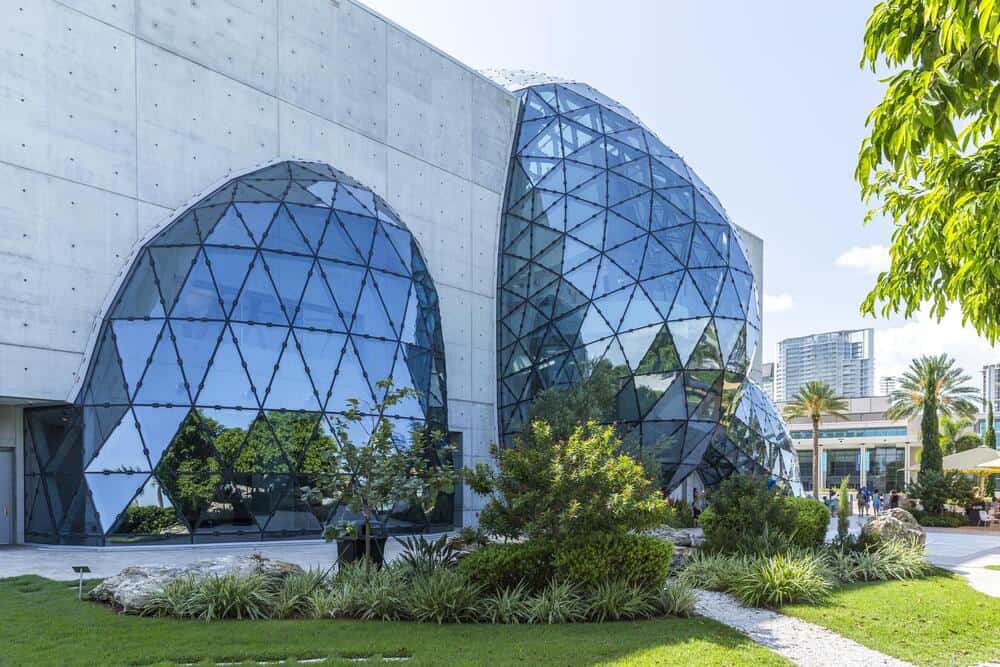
x=41, y=623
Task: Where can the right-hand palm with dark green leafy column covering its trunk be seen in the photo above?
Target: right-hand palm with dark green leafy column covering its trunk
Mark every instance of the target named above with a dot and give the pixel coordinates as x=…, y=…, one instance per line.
x=933, y=386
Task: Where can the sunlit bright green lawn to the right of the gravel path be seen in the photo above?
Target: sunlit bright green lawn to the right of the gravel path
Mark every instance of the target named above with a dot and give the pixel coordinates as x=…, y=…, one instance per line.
x=939, y=620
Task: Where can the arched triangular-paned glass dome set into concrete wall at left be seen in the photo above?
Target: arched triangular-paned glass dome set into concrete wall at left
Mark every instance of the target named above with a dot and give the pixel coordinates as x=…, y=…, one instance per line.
x=241, y=329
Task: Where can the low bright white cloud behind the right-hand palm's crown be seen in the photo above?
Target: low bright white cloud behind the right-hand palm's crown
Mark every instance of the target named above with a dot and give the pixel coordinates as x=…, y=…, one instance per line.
x=896, y=346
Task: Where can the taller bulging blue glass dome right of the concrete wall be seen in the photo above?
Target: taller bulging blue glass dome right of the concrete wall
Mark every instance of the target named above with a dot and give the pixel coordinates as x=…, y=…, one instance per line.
x=612, y=251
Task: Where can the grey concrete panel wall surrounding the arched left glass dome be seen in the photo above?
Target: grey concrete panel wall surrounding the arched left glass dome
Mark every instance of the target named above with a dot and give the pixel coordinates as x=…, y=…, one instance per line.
x=117, y=113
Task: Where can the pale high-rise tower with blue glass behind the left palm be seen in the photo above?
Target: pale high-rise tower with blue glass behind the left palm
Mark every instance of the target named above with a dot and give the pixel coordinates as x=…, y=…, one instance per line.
x=842, y=359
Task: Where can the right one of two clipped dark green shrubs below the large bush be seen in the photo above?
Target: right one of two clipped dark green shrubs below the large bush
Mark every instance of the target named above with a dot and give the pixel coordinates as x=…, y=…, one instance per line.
x=593, y=559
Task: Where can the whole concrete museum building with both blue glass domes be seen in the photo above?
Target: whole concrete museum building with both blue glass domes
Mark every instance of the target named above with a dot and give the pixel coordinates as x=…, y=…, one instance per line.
x=223, y=223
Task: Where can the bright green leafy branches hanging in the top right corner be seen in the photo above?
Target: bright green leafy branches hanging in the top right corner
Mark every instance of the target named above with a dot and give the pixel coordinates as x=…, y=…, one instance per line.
x=931, y=159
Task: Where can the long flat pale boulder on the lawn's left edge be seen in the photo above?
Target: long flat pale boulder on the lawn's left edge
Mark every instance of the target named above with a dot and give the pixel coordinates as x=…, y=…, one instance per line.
x=130, y=589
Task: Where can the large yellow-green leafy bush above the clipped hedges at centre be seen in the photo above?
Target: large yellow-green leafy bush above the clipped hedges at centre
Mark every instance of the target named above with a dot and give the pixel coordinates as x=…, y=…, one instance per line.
x=550, y=487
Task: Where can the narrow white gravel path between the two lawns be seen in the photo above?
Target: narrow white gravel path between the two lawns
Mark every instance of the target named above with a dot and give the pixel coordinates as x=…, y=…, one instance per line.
x=803, y=643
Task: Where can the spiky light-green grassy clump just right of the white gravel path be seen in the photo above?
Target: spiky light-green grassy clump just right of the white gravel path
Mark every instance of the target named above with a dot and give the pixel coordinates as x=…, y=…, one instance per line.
x=777, y=580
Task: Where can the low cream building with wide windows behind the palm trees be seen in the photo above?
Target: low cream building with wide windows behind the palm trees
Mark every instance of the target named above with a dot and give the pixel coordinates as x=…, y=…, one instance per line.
x=867, y=447
